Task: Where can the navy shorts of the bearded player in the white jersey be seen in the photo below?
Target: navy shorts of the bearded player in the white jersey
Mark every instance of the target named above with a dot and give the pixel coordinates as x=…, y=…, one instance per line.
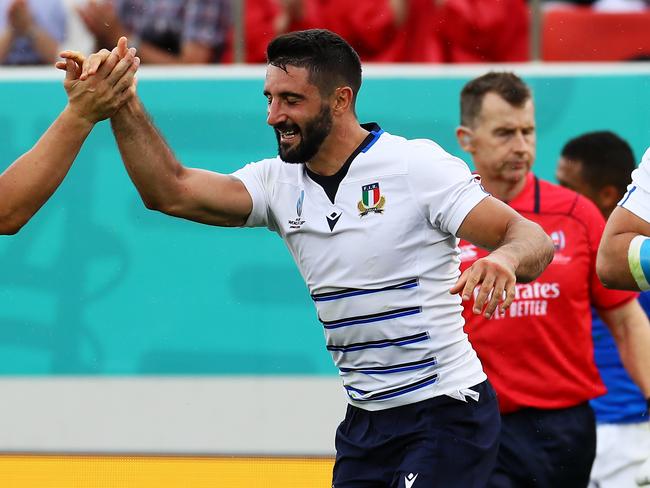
x=440, y=442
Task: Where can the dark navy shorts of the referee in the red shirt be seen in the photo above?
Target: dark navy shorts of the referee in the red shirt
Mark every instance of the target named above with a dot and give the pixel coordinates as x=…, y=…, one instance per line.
x=546, y=448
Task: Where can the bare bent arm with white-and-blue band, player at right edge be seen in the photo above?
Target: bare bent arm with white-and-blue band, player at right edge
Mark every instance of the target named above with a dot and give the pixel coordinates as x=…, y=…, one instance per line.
x=612, y=264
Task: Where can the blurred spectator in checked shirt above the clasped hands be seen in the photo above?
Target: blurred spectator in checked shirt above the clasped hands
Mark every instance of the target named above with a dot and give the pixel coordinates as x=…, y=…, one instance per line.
x=164, y=31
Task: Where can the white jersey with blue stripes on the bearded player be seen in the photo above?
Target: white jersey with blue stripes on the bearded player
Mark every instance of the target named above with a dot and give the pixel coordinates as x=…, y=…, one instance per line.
x=379, y=263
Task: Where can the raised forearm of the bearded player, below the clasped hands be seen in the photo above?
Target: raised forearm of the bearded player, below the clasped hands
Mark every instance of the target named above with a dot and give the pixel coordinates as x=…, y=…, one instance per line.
x=152, y=166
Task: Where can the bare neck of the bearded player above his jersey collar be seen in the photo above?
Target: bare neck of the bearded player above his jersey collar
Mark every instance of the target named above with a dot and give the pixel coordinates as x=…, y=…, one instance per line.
x=337, y=148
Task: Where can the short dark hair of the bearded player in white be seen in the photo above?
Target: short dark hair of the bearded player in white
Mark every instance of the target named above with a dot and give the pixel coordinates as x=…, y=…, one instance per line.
x=331, y=61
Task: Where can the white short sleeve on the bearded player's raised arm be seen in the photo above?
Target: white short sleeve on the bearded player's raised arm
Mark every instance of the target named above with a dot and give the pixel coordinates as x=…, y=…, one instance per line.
x=256, y=178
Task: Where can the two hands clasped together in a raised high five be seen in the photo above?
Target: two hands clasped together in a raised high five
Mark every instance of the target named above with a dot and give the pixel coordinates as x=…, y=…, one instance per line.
x=100, y=84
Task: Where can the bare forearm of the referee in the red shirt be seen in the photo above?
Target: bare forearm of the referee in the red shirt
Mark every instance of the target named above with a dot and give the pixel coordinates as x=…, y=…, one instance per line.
x=630, y=328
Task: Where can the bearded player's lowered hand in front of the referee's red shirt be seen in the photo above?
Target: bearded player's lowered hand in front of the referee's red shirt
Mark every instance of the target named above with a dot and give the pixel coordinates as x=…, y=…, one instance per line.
x=495, y=275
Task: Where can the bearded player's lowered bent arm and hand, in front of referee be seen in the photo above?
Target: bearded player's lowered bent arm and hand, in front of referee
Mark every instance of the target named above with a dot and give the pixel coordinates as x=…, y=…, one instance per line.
x=520, y=252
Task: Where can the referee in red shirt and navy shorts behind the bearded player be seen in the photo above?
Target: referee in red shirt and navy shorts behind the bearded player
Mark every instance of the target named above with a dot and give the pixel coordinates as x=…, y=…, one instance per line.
x=538, y=354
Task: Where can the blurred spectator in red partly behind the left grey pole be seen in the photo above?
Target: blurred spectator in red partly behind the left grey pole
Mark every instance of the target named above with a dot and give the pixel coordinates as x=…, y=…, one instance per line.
x=267, y=19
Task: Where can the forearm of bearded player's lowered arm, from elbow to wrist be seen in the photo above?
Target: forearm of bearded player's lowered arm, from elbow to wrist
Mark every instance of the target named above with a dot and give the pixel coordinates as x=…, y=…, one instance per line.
x=527, y=247
